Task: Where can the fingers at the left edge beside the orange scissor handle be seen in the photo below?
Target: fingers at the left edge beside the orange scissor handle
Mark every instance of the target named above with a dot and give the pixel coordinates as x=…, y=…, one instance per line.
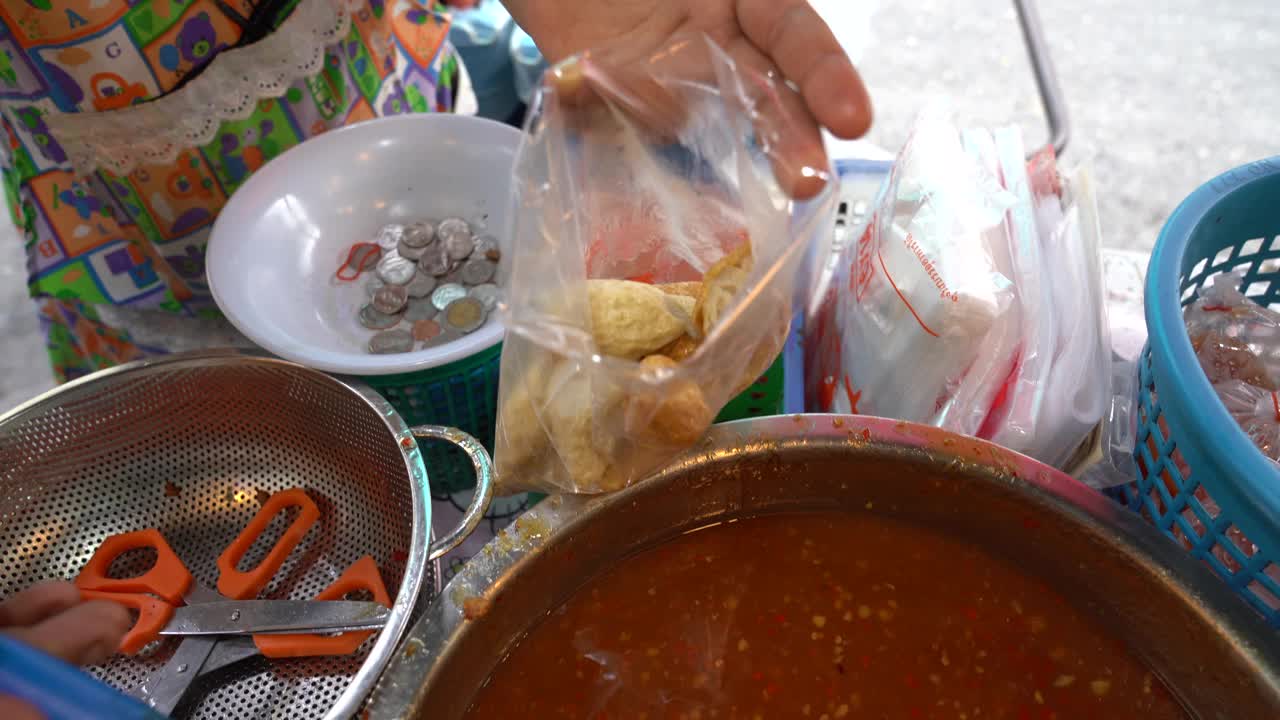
x=52, y=618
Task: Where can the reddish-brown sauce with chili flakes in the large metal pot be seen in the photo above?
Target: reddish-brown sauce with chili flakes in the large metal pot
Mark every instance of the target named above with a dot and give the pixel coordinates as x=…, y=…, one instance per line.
x=820, y=617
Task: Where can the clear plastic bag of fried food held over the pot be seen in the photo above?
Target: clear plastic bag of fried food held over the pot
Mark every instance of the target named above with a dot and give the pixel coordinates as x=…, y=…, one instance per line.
x=655, y=263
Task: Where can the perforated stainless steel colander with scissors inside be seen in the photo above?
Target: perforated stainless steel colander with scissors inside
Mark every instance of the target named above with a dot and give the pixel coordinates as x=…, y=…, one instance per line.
x=191, y=445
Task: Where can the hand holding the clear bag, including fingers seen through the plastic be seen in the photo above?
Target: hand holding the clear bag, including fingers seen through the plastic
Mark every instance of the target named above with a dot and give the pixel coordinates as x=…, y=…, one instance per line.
x=625, y=39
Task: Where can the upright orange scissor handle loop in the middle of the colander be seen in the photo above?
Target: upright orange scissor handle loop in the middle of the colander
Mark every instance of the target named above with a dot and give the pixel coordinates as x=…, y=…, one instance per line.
x=246, y=586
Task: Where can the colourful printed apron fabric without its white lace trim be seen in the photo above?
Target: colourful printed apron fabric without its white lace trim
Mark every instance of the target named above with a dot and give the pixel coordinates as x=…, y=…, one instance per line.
x=139, y=240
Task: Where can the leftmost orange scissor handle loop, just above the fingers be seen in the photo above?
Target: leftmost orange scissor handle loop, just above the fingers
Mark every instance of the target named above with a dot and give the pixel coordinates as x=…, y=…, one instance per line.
x=168, y=578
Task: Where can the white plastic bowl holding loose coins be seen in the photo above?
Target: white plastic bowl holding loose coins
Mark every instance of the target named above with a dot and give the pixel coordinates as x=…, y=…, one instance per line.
x=282, y=238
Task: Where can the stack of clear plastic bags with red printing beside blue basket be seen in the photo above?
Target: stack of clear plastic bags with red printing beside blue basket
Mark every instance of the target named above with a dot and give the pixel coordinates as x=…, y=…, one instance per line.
x=973, y=300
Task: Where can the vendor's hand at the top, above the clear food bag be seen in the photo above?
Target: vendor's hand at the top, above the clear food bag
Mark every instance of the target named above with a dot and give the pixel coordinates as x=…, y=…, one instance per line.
x=787, y=37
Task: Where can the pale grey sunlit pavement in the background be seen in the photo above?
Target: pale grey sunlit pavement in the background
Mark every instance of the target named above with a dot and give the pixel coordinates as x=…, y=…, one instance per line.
x=1164, y=95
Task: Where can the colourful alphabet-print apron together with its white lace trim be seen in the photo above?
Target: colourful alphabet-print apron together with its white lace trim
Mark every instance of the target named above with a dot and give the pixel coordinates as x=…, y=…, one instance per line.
x=130, y=124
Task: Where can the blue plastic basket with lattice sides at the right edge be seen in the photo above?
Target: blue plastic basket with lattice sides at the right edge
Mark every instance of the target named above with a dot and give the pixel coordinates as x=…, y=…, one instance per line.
x=1201, y=479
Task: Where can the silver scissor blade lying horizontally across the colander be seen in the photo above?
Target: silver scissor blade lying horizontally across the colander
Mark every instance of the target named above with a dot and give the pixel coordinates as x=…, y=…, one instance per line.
x=280, y=617
